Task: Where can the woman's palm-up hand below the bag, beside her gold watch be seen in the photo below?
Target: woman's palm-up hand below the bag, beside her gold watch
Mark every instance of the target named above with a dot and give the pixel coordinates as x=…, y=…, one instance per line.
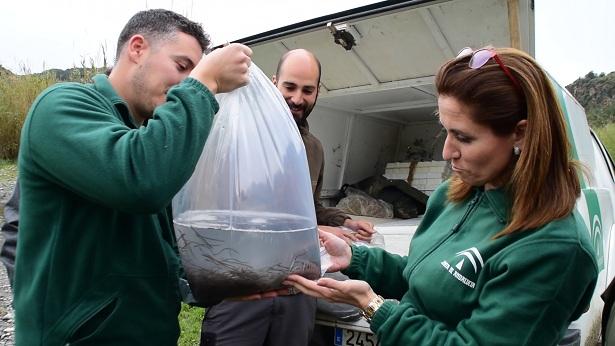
x=353, y=292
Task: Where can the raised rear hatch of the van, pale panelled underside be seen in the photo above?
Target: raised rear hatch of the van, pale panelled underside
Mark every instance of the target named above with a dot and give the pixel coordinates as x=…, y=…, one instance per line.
x=381, y=58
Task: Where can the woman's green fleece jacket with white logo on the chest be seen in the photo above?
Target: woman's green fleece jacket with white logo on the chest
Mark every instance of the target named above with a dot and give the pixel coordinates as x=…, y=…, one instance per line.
x=459, y=286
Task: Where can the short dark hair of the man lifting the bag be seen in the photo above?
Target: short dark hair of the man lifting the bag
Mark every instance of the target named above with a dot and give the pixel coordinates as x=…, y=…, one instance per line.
x=159, y=23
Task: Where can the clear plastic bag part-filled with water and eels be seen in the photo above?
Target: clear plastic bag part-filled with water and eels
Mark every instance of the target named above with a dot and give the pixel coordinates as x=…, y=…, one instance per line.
x=245, y=220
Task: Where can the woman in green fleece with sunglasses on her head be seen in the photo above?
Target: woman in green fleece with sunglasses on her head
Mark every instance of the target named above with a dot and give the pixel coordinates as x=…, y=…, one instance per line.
x=500, y=257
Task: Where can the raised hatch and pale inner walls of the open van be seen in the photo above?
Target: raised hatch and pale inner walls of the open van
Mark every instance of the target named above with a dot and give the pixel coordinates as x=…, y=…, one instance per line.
x=377, y=102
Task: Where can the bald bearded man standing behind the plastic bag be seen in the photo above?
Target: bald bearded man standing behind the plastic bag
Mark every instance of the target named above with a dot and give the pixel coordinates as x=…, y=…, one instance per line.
x=285, y=320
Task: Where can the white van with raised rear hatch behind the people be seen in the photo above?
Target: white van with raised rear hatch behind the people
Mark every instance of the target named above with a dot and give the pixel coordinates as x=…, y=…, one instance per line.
x=378, y=98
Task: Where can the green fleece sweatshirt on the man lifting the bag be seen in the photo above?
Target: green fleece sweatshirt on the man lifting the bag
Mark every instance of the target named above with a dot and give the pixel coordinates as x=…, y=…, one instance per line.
x=97, y=259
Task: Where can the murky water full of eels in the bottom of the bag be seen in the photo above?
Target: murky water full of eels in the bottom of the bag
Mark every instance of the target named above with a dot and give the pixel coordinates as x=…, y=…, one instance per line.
x=236, y=253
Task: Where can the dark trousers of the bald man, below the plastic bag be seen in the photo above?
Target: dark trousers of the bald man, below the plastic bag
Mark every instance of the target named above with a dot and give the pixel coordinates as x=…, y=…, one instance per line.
x=287, y=320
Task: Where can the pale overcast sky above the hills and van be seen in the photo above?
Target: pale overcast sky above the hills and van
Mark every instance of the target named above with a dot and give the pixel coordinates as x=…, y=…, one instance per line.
x=572, y=37
